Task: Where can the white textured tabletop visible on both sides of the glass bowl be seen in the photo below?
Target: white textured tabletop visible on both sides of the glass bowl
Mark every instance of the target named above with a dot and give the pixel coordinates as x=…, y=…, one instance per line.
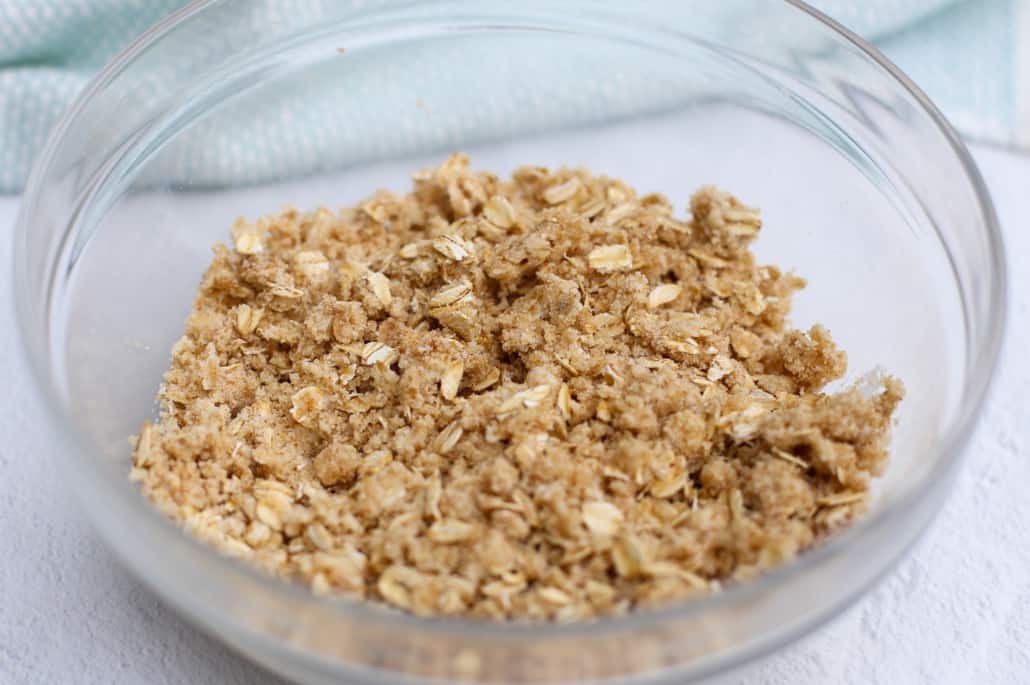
x=957, y=610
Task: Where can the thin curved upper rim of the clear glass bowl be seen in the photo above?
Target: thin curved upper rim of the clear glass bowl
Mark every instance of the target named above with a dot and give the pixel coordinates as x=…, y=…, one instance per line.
x=974, y=392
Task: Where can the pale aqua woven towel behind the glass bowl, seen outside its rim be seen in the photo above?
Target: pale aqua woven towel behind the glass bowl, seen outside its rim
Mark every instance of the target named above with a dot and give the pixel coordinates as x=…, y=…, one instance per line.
x=51, y=49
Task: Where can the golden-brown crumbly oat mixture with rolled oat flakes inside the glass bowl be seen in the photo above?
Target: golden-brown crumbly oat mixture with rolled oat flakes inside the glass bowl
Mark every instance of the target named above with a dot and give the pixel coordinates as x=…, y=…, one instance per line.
x=543, y=398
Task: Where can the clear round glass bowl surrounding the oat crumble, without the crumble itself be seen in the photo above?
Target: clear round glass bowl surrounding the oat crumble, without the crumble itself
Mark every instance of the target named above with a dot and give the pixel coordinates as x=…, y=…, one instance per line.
x=236, y=108
